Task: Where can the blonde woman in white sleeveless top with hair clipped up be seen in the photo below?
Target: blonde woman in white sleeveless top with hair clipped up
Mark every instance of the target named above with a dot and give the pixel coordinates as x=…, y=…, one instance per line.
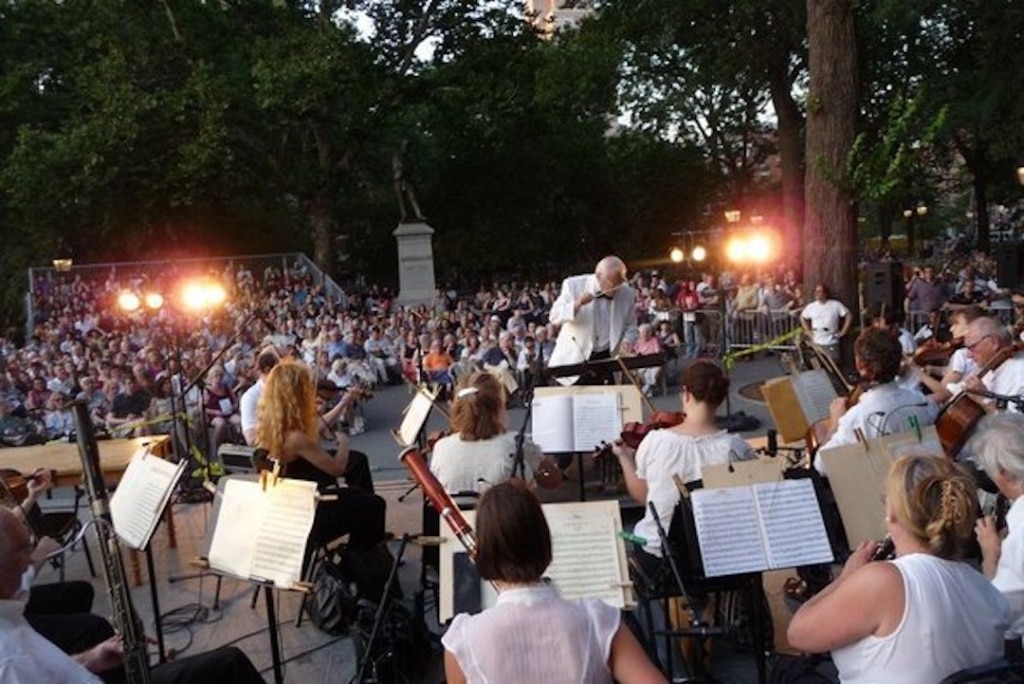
x=924, y=616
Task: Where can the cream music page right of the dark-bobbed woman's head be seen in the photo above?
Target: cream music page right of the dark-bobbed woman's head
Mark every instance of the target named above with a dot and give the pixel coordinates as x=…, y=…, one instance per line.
x=586, y=552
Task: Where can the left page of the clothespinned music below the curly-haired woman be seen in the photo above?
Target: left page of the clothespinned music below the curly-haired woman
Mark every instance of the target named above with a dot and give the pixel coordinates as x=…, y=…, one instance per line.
x=241, y=515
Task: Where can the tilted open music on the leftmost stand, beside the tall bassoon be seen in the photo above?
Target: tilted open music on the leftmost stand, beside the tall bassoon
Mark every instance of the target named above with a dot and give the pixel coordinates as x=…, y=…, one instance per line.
x=142, y=497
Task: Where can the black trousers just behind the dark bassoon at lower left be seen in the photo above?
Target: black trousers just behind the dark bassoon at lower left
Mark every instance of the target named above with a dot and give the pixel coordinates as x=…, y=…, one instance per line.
x=61, y=614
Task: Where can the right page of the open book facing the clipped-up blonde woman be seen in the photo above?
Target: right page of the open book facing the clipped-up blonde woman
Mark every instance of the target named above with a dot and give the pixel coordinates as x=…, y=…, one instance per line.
x=794, y=530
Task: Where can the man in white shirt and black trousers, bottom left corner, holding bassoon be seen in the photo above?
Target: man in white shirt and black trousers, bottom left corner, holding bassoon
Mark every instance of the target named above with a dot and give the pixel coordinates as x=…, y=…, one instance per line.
x=26, y=657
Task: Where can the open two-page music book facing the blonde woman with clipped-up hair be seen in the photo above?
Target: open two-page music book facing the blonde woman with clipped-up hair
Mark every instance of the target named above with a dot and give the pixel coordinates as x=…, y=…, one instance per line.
x=769, y=526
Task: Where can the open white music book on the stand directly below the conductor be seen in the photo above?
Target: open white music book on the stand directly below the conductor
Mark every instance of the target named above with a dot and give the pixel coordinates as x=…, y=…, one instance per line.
x=576, y=422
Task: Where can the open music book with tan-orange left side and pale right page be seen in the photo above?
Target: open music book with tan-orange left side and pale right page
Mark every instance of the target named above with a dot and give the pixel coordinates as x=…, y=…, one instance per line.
x=796, y=402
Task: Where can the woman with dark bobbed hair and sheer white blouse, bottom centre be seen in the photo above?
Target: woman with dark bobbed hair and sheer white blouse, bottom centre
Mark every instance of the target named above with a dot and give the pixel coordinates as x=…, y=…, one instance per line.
x=533, y=635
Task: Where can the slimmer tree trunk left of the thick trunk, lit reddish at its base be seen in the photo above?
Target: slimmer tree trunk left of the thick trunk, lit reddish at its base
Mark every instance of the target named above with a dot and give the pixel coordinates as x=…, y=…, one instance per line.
x=791, y=123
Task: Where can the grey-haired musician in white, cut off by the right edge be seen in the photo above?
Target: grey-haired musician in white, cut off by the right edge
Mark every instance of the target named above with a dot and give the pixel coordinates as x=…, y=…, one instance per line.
x=998, y=447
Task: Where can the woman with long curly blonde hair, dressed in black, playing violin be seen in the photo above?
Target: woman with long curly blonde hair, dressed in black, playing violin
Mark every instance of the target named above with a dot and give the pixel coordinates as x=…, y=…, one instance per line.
x=287, y=427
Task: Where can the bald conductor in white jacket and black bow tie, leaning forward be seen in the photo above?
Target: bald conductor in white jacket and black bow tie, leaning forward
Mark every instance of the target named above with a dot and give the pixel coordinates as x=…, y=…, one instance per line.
x=598, y=316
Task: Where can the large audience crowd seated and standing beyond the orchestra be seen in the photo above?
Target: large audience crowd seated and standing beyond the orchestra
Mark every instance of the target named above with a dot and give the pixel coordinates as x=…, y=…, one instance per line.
x=134, y=368
